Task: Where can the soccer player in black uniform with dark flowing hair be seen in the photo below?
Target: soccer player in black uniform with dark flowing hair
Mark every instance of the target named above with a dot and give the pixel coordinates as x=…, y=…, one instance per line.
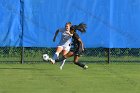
x=78, y=46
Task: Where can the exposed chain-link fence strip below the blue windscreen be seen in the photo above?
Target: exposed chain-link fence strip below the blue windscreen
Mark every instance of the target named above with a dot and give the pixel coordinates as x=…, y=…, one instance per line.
x=94, y=55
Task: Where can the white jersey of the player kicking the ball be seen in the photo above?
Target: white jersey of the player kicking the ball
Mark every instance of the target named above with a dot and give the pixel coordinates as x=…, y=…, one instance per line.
x=65, y=38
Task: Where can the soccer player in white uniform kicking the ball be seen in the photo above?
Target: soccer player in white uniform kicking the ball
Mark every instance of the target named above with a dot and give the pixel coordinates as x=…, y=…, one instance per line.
x=64, y=44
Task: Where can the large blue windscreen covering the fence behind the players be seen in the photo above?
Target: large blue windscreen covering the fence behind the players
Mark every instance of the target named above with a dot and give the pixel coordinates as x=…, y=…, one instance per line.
x=32, y=23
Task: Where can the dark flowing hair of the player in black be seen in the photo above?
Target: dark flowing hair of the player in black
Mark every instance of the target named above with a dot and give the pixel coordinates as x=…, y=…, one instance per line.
x=81, y=27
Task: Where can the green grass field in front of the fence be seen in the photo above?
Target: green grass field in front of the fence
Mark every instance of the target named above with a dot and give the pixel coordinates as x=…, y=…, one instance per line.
x=47, y=78
